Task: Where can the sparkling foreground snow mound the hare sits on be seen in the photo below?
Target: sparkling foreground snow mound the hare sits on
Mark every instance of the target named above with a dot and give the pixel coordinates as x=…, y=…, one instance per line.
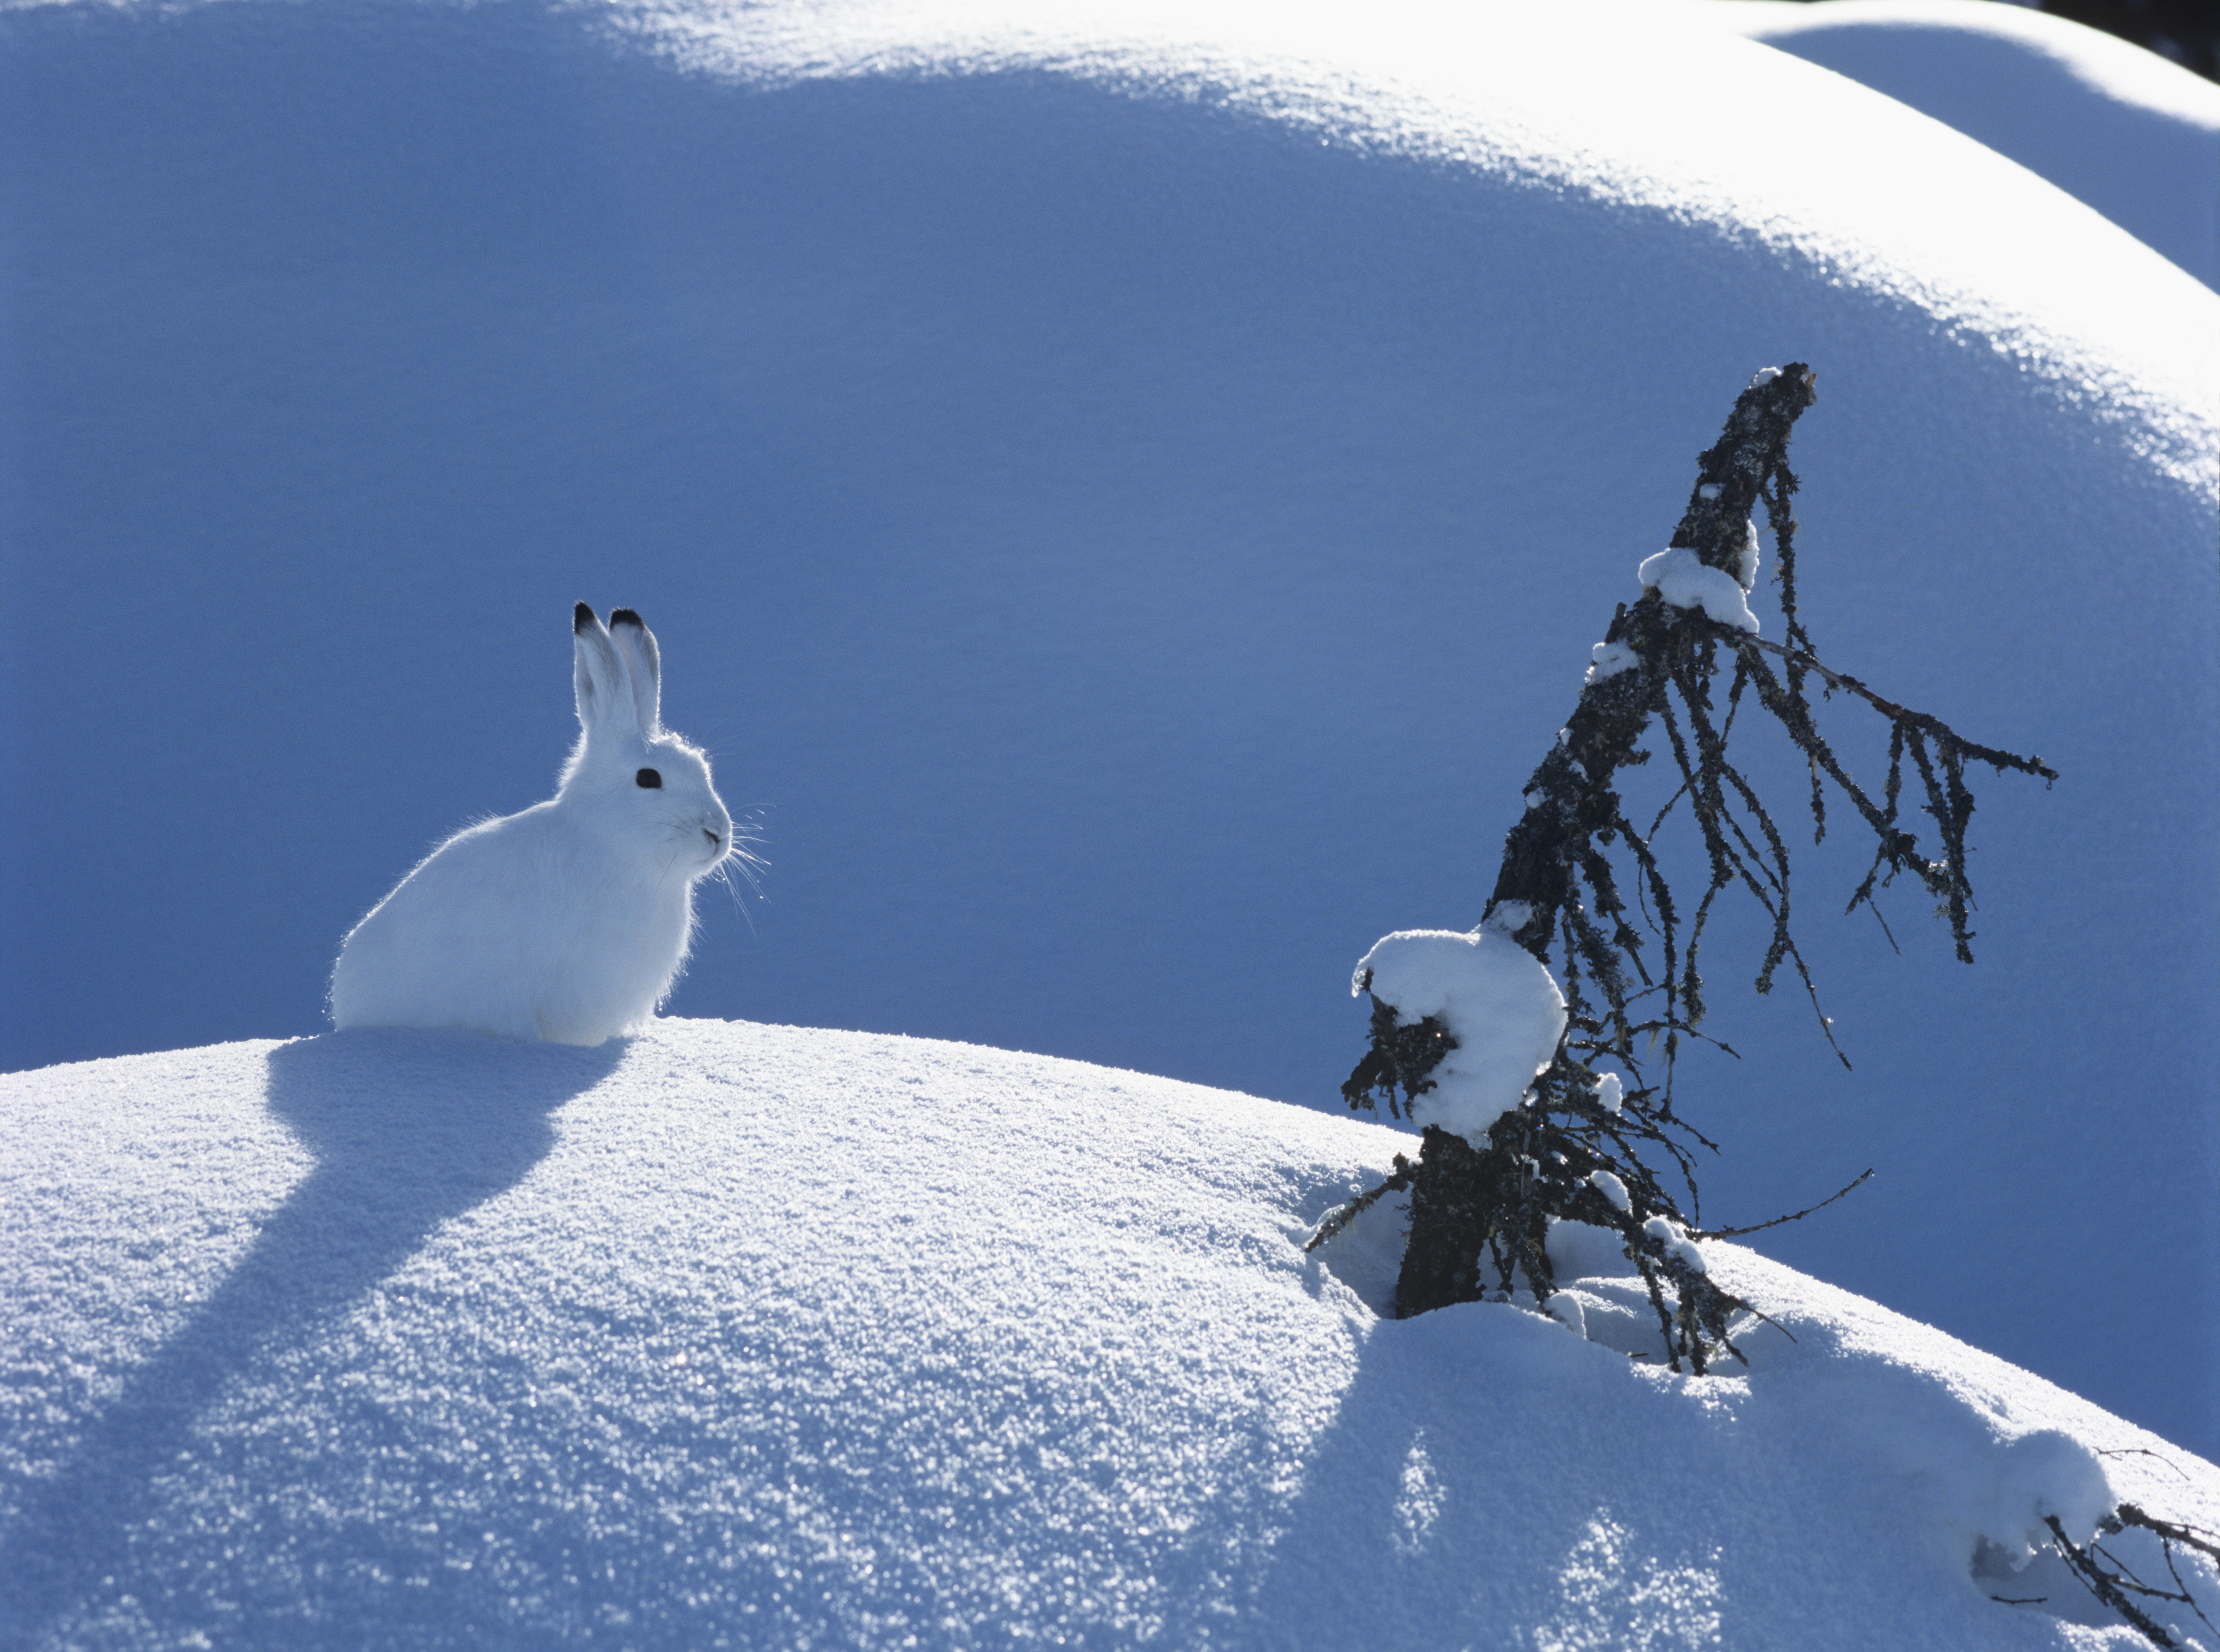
x=767, y=1338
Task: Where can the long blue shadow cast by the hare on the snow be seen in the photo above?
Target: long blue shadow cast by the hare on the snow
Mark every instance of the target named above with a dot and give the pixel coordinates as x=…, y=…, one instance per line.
x=407, y=1131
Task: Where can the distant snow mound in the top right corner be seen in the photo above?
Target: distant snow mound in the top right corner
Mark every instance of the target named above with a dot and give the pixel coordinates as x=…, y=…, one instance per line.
x=2110, y=123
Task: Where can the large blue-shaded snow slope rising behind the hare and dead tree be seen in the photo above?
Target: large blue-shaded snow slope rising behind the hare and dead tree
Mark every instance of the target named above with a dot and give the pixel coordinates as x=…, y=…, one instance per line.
x=1127, y=496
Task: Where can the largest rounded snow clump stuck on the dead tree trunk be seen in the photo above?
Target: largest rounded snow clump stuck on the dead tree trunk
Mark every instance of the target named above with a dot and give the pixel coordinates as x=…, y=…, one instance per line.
x=1497, y=1003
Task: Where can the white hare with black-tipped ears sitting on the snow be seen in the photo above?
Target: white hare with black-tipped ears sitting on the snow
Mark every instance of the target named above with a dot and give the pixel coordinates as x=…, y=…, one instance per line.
x=572, y=920
